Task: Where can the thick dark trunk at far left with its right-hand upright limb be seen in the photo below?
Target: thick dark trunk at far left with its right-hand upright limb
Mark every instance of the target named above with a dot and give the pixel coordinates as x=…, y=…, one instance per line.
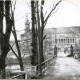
x=5, y=43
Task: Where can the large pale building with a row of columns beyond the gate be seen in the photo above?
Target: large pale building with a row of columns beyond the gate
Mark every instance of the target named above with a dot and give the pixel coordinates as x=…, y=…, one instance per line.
x=62, y=37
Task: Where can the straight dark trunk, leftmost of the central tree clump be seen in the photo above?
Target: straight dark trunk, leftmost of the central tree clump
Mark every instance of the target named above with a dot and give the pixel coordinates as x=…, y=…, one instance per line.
x=34, y=35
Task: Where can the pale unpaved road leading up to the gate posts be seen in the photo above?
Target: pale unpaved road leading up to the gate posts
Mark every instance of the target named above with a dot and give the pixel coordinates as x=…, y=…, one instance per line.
x=63, y=68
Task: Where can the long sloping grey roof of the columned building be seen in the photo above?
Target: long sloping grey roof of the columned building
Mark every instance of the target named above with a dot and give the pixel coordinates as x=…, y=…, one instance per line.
x=63, y=30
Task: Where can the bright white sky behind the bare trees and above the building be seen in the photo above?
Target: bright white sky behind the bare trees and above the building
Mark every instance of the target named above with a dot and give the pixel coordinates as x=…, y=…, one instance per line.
x=67, y=14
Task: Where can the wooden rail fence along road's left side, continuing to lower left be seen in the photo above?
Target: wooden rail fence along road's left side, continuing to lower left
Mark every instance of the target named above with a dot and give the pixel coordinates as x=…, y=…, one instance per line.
x=44, y=65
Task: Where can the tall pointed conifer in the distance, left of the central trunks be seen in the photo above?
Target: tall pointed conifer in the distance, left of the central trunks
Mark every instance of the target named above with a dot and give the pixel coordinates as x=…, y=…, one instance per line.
x=26, y=38
